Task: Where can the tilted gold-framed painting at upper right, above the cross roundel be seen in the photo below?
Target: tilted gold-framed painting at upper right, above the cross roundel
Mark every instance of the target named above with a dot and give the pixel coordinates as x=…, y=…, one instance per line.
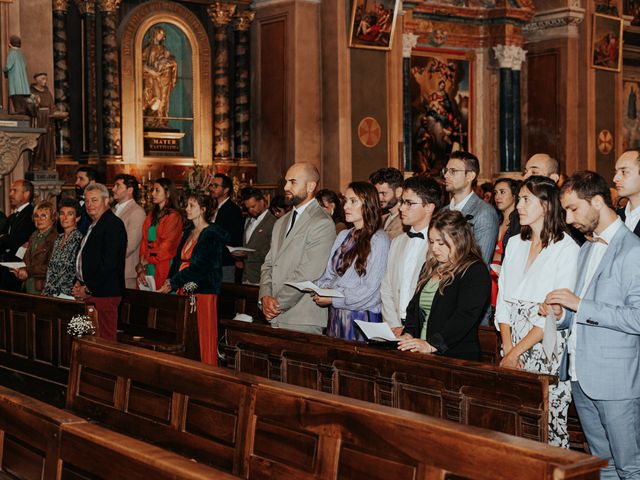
x=606, y=42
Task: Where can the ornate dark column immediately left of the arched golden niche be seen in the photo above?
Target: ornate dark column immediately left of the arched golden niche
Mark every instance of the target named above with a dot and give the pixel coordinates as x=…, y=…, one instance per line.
x=111, y=144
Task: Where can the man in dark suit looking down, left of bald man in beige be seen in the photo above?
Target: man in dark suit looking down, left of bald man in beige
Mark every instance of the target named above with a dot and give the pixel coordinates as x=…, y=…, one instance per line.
x=257, y=235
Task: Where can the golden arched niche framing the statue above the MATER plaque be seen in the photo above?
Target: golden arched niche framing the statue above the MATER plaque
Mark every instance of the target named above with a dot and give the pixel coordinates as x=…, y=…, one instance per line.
x=190, y=113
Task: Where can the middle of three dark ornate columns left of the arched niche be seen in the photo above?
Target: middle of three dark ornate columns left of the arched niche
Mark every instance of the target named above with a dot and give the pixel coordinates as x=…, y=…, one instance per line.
x=88, y=12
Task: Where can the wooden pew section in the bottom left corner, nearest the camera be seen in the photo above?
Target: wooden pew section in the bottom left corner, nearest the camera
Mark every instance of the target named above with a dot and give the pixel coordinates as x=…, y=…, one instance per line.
x=38, y=441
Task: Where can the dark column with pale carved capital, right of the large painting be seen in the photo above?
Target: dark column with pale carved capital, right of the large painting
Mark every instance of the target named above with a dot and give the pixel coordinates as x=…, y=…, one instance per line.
x=510, y=58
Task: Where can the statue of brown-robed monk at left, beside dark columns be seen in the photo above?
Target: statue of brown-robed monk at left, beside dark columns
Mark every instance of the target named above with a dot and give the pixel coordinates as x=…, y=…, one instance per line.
x=44, y=156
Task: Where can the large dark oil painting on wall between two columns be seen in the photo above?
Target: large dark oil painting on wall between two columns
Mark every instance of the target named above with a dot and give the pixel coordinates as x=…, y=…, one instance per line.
x=441, y=100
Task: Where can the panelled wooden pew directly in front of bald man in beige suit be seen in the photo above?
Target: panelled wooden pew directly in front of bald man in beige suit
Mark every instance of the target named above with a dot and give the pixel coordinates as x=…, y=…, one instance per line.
x=466, y=392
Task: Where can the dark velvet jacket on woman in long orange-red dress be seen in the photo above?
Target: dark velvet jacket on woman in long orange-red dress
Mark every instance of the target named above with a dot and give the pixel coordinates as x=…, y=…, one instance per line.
x=205, y=266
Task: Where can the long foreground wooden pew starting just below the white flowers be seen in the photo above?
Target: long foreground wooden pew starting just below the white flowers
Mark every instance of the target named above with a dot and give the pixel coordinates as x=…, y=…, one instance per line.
x=275, y=430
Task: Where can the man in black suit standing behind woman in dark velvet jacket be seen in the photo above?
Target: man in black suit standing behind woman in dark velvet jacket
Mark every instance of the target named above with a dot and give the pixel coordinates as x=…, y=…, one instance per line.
x=229, y=217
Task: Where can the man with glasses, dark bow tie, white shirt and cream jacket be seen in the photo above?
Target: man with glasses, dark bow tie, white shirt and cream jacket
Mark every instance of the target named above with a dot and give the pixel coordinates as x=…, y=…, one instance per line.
x=421, y=198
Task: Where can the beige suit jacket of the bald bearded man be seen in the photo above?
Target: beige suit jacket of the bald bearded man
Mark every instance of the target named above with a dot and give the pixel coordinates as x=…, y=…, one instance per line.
x=301, y=255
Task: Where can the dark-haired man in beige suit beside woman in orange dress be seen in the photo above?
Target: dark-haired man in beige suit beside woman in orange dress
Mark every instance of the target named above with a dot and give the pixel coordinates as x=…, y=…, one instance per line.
x=125, y=193
